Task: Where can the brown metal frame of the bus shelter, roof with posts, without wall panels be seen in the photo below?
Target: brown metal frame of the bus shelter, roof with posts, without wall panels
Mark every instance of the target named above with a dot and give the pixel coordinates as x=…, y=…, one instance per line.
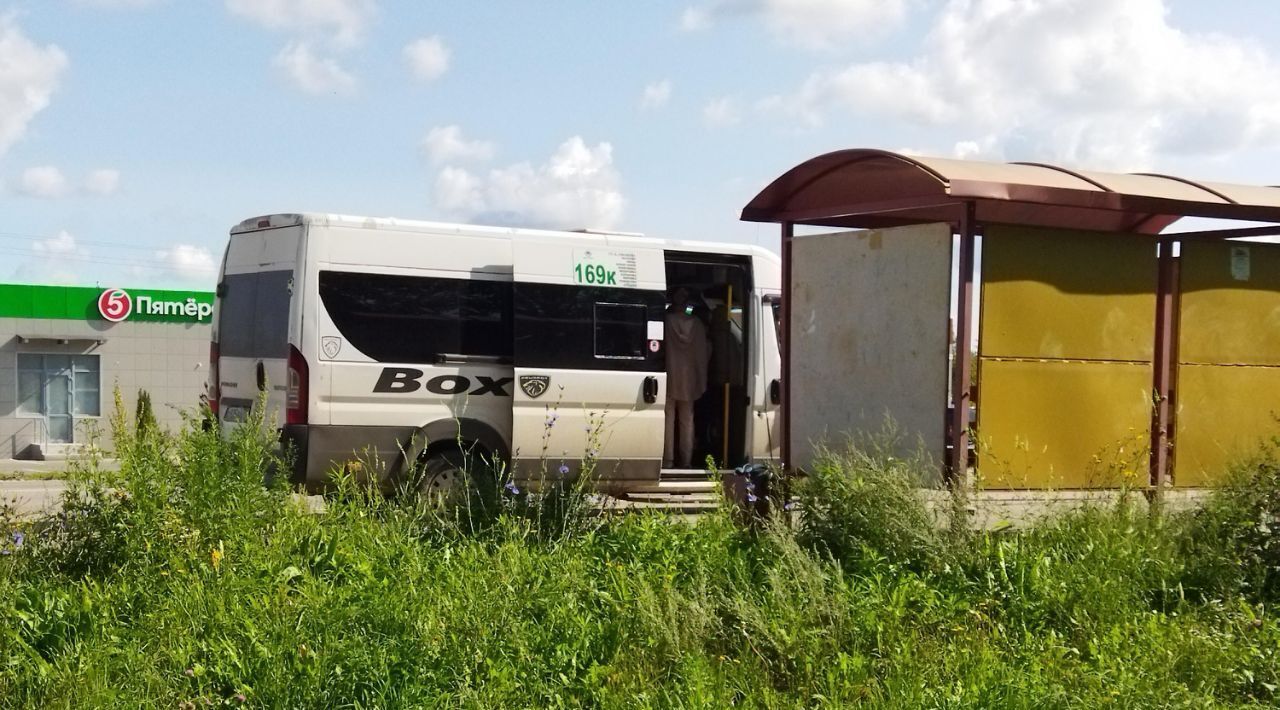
x=871, y=189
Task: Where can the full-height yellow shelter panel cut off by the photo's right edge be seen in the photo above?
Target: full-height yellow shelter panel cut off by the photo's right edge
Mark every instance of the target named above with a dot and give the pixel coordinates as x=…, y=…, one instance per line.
x=1228, y=392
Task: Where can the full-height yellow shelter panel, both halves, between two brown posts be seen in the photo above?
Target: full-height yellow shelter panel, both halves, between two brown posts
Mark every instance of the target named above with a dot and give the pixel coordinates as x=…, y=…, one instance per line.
x=1064, y=368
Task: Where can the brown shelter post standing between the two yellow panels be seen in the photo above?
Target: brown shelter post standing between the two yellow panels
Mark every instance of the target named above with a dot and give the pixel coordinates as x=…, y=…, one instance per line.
x=1164, y=369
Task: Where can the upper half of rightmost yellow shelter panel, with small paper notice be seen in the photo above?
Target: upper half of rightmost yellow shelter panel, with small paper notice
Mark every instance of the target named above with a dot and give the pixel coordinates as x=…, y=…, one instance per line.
x=1231, y=304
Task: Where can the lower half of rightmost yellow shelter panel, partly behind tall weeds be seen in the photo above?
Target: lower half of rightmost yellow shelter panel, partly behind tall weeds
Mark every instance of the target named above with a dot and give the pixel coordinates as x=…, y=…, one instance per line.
x=1224, y=414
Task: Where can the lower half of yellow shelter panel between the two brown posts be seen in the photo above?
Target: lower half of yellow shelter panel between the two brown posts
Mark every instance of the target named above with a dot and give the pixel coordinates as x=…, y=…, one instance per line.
x=1063, y=425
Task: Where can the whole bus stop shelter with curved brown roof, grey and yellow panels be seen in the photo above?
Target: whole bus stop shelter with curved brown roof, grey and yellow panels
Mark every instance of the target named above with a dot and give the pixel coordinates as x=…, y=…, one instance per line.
x=1109, y=351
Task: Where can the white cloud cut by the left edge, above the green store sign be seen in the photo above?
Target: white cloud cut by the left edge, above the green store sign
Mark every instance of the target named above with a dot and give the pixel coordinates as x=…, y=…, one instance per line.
x=29, y=77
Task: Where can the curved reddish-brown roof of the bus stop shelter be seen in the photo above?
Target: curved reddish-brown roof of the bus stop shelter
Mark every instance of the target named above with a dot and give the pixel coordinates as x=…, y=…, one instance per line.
x=871, y=189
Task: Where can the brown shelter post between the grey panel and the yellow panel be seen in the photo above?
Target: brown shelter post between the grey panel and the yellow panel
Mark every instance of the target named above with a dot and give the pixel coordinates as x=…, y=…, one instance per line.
x=962, y=392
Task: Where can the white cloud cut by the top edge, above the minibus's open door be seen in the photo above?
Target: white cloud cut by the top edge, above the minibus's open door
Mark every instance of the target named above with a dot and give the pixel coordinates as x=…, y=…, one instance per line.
x=813, y=25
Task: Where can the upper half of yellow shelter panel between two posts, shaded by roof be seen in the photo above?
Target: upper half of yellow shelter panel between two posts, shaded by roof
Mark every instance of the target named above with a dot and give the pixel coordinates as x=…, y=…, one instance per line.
x=1063, y=295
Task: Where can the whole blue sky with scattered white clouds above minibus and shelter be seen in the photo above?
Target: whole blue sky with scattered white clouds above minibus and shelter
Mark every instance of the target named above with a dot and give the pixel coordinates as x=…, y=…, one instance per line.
x=134, y=134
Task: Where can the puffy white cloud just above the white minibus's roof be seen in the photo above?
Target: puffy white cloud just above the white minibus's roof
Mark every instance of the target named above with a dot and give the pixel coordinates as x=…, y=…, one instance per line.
x=578, y=187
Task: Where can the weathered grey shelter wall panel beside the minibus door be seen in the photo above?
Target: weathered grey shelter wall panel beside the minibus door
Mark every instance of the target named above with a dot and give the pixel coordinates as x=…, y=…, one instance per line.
x=870, y=337
